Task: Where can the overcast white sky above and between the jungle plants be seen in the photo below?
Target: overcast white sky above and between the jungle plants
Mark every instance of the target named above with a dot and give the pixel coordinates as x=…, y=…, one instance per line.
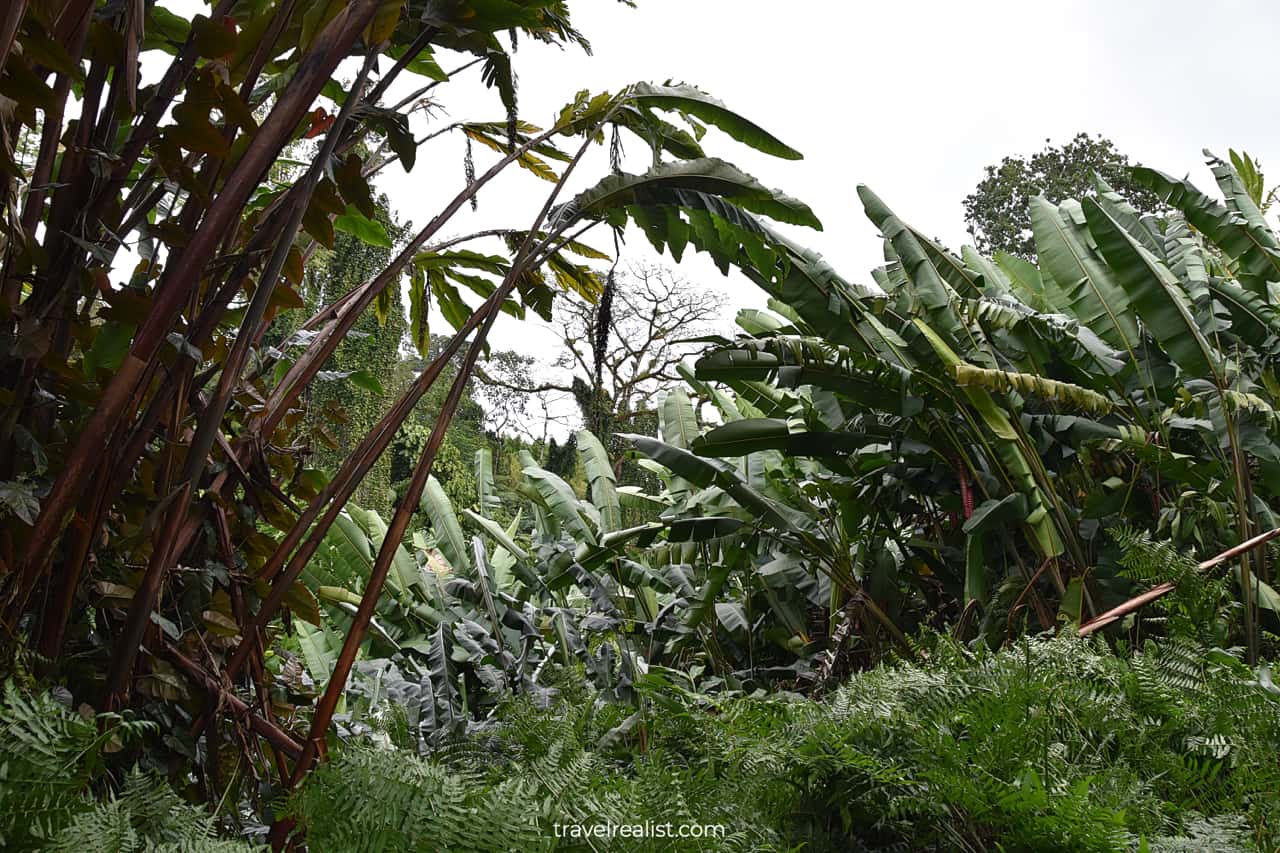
x=912, y=98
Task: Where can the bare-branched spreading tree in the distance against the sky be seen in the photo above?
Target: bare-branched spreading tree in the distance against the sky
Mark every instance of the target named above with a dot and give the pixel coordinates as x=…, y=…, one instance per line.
x=651, y=316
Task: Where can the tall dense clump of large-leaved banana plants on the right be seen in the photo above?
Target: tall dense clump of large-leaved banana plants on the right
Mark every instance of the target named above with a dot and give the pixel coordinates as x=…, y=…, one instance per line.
x=981, y=423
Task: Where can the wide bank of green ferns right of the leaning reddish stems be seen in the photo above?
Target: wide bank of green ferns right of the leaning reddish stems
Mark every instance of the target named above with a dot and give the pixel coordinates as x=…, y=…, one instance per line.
x=1053, y=745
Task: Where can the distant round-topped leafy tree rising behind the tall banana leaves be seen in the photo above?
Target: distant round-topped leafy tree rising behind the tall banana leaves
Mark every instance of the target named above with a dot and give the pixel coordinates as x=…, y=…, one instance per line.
x=996, y=212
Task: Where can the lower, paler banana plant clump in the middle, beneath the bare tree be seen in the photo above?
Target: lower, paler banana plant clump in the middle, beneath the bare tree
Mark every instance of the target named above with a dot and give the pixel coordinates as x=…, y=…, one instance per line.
x=477, y=609
